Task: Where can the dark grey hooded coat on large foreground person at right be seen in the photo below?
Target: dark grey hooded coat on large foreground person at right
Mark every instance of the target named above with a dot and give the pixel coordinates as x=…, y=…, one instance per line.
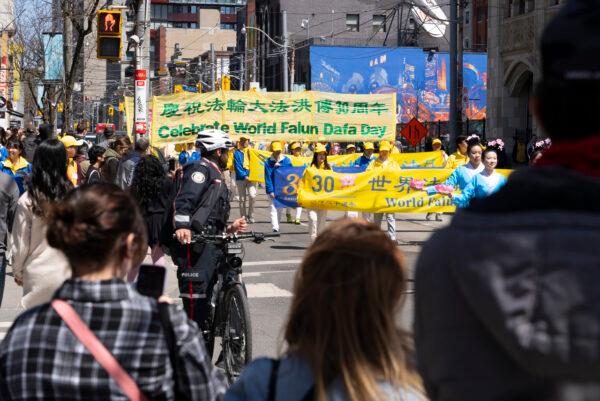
x=508, y=296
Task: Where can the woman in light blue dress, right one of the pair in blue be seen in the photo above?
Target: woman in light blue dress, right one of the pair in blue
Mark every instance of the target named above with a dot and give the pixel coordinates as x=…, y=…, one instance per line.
x=483, y=184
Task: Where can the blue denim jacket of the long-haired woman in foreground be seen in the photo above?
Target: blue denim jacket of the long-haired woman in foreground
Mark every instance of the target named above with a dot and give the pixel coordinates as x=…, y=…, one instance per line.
x=294, y=380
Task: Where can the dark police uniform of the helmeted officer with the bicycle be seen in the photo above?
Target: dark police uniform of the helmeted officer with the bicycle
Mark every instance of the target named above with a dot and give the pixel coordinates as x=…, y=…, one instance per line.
x=202, y=205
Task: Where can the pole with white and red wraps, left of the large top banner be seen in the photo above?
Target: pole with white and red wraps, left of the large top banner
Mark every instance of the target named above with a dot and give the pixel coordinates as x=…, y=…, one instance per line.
x=141, y=82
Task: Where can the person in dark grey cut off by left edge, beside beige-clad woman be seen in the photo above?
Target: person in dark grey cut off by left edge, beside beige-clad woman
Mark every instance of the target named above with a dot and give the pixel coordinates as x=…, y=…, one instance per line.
x=9, y=196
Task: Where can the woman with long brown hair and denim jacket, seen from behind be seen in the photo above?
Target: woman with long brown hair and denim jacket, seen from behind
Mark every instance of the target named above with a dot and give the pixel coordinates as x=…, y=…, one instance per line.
x=343, y=342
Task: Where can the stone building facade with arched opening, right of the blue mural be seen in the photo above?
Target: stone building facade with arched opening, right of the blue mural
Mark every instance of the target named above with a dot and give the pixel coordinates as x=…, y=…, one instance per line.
x=515, y=28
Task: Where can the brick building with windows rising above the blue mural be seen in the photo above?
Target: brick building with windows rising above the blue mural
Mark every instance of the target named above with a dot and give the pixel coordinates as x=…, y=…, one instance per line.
x=353, y=23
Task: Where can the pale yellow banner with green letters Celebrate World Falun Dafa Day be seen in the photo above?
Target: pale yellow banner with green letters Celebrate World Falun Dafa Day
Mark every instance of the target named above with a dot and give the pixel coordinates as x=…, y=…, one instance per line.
x=287, y=116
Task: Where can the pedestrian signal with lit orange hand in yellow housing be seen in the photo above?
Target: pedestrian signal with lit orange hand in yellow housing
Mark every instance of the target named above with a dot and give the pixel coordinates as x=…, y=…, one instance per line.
x=108, y=45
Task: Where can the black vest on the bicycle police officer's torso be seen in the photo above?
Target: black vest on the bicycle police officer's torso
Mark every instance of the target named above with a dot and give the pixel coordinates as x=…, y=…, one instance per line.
x=213, y=211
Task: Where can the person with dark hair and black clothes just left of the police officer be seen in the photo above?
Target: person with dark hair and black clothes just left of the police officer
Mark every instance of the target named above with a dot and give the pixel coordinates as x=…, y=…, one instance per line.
x=151, y=188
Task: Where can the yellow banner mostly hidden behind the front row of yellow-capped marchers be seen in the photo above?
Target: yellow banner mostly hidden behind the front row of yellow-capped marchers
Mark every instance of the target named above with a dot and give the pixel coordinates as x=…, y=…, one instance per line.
x=405, y=160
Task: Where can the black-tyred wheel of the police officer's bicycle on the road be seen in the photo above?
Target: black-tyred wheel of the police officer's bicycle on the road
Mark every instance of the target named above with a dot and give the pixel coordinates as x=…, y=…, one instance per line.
x=237, y=336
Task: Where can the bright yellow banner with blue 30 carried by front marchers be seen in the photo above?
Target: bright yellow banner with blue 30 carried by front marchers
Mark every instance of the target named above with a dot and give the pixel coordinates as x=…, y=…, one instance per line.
x=380, y=191
